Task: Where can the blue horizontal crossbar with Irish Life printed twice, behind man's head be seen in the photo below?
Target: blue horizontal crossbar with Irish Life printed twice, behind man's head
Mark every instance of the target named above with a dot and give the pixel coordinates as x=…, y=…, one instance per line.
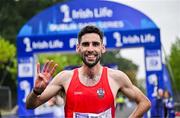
x=67, y=42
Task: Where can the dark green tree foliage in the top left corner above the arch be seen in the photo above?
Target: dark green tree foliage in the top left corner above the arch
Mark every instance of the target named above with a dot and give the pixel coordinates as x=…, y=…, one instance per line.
x=15, y=13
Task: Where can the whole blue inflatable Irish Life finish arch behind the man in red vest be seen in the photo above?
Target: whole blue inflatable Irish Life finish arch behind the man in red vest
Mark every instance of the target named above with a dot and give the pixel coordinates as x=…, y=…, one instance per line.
x=55, y=29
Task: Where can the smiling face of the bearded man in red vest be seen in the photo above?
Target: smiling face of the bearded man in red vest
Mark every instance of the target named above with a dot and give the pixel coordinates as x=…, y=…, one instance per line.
x=90, y=49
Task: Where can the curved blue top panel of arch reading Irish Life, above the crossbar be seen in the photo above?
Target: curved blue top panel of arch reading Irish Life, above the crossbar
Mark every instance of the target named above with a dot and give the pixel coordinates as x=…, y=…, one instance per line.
x=70, y=17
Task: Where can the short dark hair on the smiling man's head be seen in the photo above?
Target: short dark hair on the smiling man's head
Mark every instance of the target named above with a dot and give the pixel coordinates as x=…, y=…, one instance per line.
x=90, y=29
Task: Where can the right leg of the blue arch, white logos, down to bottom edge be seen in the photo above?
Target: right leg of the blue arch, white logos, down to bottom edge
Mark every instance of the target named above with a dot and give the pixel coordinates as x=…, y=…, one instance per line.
x=154, y=80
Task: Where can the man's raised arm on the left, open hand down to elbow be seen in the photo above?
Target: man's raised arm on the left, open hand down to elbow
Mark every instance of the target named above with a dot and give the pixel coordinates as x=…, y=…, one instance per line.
x=43, y=91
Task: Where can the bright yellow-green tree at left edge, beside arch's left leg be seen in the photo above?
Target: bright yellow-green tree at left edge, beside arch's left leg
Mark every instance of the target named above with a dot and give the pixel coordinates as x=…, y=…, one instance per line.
x=8, y=66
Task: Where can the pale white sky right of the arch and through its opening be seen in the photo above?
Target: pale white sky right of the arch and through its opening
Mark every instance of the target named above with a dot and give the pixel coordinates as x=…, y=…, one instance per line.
x=166, y=15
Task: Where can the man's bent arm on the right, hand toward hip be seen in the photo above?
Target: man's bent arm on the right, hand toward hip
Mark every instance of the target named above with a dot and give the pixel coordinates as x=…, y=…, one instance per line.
x=132, y=92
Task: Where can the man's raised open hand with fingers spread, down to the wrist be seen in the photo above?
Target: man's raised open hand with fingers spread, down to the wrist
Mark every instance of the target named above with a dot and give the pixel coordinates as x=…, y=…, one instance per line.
x=44, y=77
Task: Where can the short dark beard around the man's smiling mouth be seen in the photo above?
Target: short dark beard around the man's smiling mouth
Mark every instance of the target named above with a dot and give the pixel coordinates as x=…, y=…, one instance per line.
x=89, y=63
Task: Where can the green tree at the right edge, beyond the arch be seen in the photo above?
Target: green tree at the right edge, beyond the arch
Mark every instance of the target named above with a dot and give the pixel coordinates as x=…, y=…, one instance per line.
x=174, y=60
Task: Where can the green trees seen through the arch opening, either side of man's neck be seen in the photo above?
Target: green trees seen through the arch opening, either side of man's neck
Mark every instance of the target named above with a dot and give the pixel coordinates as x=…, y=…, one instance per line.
x=108, y=58
